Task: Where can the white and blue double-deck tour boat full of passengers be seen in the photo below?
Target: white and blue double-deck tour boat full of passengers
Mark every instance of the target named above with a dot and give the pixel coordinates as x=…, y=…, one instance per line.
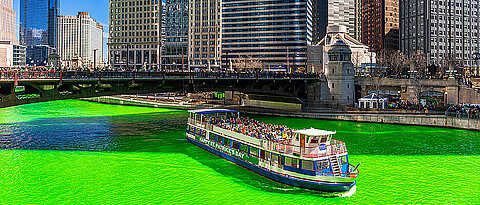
x=306, y=158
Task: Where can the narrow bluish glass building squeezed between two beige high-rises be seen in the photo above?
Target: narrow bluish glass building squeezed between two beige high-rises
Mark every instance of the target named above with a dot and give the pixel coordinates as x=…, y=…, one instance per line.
x=175, y=39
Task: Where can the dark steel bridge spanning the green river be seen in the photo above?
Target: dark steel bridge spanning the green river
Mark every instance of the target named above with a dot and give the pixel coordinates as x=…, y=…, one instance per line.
x=22, y=87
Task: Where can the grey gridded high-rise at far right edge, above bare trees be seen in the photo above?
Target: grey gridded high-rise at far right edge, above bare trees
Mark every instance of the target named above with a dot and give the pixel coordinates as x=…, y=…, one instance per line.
x=443, y=30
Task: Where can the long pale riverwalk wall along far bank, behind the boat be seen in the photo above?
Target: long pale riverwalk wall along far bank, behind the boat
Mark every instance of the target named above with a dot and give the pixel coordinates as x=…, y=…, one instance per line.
x=370, y=117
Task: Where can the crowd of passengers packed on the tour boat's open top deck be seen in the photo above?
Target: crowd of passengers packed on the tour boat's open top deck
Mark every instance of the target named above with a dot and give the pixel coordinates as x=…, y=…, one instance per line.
x=252, y=127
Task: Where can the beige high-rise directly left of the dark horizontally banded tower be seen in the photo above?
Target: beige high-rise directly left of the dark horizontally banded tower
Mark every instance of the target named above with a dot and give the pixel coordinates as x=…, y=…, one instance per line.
x=204, y=40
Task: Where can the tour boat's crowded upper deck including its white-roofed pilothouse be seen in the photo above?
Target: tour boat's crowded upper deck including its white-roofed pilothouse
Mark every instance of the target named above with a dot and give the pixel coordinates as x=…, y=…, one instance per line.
x=309, y=143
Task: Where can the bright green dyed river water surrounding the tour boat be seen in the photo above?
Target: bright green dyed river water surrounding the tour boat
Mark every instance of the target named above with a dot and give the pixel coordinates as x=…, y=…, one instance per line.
x=80, y=152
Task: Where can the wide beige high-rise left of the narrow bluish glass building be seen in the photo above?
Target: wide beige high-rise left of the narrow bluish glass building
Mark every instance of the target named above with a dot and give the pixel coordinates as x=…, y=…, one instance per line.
x=135, y=35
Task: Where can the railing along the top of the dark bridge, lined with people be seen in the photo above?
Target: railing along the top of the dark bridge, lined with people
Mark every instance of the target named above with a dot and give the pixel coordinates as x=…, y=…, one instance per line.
x=21, y=75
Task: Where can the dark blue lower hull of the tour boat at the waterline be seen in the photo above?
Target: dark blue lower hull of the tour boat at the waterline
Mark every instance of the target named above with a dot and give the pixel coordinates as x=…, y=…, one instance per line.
x=320, y=186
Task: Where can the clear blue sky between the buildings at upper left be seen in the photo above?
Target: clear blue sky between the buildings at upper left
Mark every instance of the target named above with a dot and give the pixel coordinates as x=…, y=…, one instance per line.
x=98, y=10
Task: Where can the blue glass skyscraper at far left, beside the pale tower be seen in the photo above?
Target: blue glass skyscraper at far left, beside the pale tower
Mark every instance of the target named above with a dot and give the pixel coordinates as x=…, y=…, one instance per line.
x=38, y=21
